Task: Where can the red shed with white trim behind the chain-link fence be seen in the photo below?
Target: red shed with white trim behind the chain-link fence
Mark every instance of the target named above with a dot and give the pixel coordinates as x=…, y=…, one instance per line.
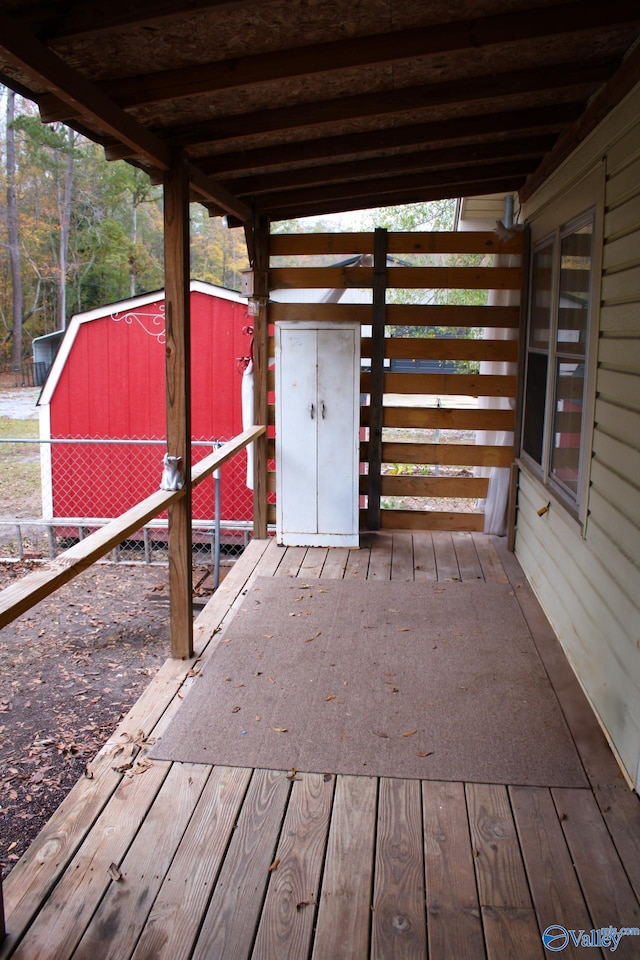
x=107, y=383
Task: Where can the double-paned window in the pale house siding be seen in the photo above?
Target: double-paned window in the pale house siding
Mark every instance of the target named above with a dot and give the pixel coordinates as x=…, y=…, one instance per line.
x=556, y=361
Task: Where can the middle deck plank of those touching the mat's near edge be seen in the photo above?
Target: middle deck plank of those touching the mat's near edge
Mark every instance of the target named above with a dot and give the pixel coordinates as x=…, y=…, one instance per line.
x=344, y=914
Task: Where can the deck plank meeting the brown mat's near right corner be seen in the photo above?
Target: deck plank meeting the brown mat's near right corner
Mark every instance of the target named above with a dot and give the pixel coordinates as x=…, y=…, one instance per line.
x=607, y=890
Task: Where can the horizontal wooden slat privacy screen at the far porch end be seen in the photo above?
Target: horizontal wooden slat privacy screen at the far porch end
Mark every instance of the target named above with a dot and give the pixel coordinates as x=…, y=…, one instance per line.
x=422, y=403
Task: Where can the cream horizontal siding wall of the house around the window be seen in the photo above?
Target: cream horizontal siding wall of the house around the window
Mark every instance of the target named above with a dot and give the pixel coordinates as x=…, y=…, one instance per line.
x=587, y=574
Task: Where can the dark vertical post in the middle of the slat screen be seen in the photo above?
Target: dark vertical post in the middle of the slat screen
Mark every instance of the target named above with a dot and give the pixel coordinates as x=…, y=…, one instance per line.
x=377, y=376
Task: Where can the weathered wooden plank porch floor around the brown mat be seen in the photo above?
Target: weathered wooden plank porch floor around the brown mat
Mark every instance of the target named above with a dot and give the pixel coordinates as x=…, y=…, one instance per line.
x=175, y=860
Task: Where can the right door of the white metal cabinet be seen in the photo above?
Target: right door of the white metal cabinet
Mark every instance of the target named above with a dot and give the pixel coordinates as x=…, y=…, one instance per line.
x=337, y=432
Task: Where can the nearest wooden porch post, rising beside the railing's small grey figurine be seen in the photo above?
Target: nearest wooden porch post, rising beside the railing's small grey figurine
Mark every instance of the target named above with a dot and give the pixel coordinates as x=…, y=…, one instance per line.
x=178, y=392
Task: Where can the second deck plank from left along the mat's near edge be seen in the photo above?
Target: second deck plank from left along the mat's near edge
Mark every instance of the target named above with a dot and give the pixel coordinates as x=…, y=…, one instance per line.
x=127, y=902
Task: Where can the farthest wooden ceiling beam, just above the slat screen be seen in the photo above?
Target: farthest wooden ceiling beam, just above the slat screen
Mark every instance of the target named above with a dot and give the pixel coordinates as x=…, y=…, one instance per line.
x=417, y=195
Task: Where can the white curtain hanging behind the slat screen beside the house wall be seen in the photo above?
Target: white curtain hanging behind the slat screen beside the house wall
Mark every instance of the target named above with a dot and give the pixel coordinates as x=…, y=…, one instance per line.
x=495, y=505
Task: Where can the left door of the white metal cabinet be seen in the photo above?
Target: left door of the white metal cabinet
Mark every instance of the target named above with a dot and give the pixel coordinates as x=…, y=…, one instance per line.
x=297, y=431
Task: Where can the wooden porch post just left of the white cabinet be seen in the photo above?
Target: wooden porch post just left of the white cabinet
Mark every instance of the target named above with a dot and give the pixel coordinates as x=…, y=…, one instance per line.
x=260, y=372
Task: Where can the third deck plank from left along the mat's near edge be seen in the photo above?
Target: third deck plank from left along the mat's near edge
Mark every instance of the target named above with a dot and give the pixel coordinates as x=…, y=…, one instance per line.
x=174, y=921
